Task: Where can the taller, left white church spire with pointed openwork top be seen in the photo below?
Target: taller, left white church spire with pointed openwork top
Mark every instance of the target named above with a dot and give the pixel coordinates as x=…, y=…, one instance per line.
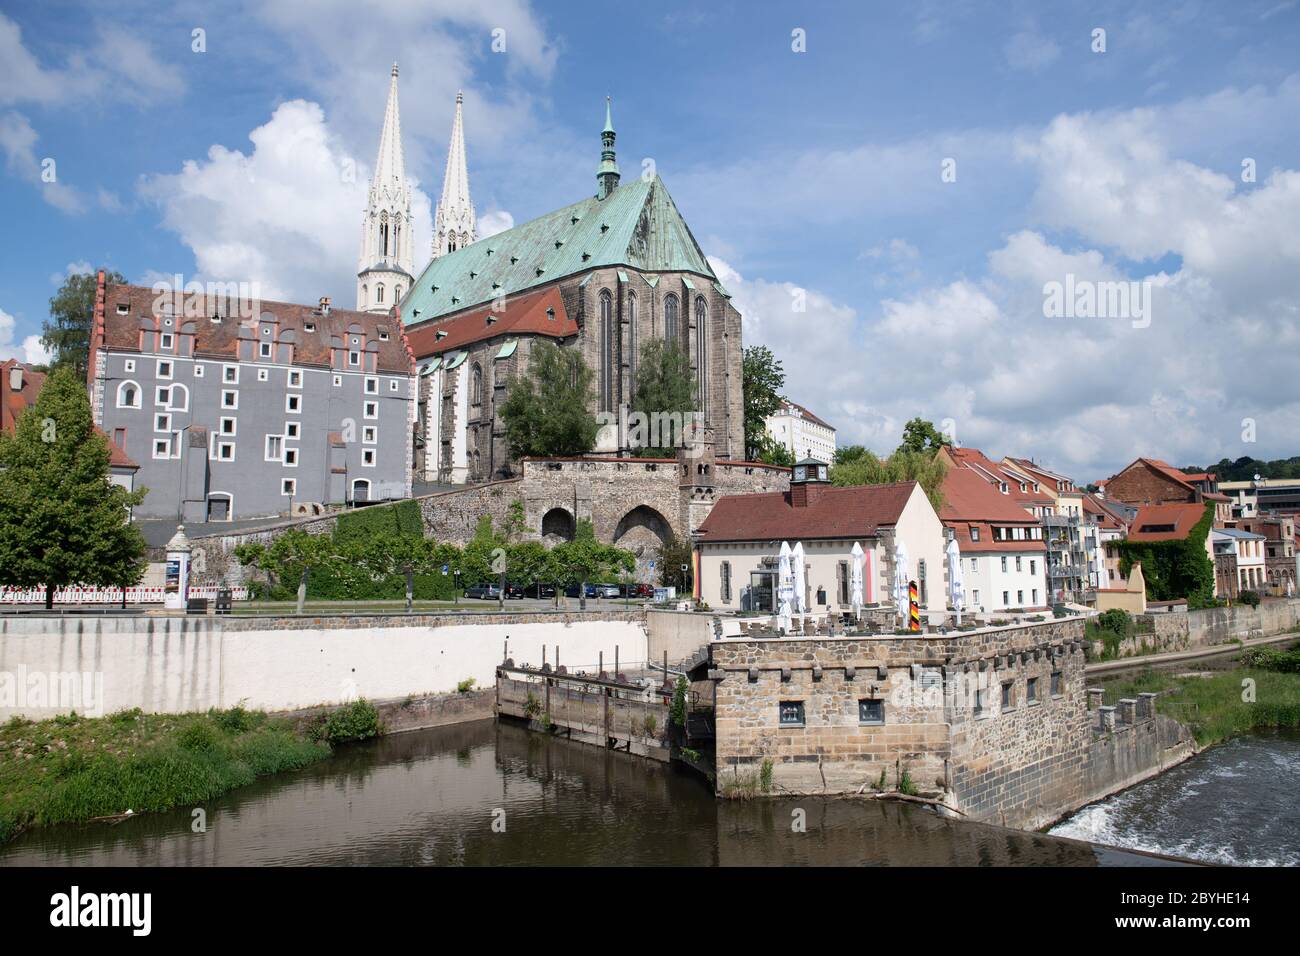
x=384, y=266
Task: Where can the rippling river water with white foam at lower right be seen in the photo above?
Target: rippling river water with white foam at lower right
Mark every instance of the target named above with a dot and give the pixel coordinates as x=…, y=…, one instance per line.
x=1238, y=803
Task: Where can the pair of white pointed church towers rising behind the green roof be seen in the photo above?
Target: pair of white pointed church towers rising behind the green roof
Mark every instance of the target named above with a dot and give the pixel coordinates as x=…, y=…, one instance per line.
x=387, y=263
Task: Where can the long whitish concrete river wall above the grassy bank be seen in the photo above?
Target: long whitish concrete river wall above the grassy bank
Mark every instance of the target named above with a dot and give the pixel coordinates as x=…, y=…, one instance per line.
x=175, y=665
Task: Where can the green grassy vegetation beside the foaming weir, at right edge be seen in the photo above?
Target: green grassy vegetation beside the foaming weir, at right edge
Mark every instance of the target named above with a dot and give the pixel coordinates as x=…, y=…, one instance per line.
x=1215, y=708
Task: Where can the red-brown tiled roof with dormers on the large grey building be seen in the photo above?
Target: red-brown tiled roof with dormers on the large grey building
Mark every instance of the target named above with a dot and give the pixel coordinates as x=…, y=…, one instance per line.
x=220, y=340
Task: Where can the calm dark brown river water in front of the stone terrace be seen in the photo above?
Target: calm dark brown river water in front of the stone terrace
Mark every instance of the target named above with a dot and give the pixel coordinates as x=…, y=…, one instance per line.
x=428, y=799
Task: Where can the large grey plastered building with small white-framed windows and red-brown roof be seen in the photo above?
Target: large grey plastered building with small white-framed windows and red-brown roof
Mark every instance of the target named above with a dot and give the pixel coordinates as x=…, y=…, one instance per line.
x=237, y=408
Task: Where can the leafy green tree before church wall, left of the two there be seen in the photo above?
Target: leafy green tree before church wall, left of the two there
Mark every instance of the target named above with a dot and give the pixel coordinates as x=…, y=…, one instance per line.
x=548, y=412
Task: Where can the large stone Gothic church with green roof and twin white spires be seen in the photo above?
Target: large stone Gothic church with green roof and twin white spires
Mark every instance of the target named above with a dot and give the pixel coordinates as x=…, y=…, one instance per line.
x=605, y=275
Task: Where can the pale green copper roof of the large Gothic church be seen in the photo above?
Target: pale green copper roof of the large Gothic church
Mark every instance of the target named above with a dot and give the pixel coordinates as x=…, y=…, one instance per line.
x=636, y=226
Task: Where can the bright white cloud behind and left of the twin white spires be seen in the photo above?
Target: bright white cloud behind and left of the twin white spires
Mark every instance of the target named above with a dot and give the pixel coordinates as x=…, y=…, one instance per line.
x=285, y=215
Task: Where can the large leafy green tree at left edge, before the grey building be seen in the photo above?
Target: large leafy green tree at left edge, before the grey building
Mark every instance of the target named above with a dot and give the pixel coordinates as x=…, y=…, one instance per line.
x=62, y=521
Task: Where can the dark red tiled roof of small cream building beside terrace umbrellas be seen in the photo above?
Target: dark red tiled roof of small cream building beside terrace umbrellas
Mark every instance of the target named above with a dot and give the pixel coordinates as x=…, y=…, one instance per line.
x=834, y=513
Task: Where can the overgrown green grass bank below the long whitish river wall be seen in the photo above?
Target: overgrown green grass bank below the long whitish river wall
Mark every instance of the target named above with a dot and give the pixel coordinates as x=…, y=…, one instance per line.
x=72, y=769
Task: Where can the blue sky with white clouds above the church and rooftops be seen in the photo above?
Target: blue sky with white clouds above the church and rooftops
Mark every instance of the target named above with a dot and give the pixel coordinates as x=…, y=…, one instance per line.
x=809, y=178
